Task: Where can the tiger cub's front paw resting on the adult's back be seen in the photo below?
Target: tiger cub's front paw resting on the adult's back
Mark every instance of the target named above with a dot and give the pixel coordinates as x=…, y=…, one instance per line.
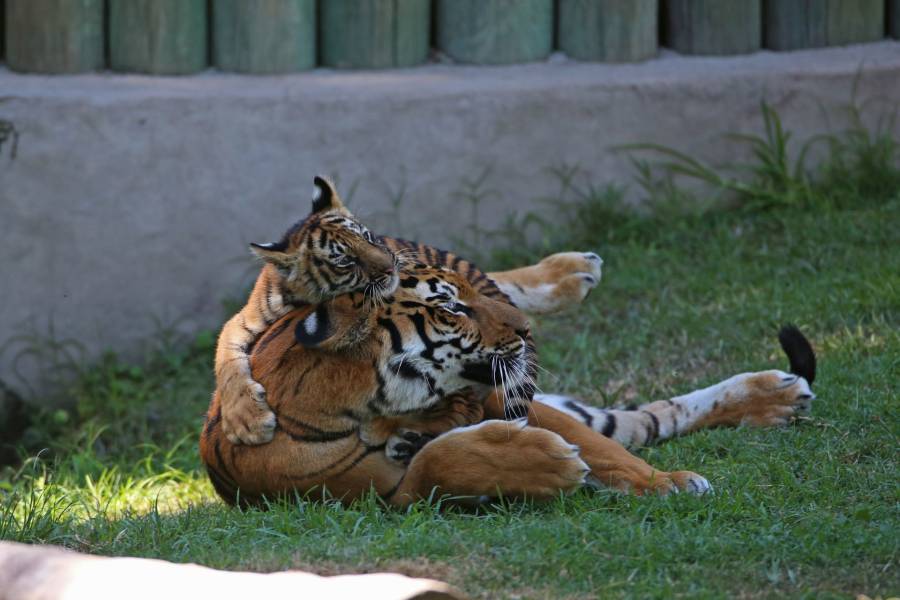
x=246, y=418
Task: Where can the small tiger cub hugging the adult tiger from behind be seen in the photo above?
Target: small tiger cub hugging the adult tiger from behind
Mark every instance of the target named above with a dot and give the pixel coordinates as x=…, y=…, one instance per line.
x=330, y=253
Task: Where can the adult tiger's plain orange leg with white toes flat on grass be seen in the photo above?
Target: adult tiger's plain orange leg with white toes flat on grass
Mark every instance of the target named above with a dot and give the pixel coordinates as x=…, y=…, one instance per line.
x=610, y=463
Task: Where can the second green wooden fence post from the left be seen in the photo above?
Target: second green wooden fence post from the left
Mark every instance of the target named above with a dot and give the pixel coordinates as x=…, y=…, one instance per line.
x=162, y=37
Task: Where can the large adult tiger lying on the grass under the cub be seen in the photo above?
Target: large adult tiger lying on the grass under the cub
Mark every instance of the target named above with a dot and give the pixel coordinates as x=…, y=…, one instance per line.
x=342, y=373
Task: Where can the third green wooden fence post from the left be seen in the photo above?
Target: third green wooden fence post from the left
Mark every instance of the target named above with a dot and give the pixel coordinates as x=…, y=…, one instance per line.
x=264, y=36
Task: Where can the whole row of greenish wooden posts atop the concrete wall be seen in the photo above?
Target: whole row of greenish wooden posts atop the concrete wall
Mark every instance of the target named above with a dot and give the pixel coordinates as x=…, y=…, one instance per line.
x=177, y=37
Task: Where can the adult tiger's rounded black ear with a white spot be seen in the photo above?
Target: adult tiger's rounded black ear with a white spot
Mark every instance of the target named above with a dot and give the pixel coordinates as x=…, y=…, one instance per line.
x=335, y=325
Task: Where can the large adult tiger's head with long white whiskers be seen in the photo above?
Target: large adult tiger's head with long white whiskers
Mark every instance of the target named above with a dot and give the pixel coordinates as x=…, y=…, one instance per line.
x=435, y=335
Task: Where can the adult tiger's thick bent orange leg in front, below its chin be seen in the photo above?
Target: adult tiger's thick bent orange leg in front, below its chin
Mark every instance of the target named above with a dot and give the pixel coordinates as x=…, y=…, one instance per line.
x=492, y=459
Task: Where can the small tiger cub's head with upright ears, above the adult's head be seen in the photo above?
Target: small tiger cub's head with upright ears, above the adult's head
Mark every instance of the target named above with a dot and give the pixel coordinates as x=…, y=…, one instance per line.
x=330, y=253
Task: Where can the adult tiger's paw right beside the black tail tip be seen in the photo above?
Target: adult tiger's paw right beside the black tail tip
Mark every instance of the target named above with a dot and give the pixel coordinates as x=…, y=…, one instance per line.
x=764, y=399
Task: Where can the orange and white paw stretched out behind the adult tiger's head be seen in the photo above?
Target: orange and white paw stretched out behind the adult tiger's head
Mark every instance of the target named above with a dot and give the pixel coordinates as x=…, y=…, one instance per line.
x=557, y=282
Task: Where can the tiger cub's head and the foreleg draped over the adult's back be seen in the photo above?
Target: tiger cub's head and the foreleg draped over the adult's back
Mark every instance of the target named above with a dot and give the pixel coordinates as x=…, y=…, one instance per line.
x=327, y=254
